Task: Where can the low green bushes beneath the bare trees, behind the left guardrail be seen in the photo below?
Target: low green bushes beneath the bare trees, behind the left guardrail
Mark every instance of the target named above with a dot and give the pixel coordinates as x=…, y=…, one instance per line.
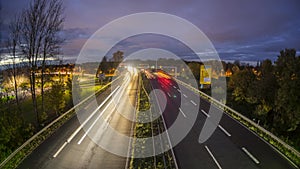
x=17, y=121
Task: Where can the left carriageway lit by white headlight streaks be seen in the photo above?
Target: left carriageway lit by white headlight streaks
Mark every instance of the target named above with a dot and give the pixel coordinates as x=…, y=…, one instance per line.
x=70, y=148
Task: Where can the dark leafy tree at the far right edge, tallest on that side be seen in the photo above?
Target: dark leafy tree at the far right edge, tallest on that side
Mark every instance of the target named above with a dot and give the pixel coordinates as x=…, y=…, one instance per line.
x=287, y=105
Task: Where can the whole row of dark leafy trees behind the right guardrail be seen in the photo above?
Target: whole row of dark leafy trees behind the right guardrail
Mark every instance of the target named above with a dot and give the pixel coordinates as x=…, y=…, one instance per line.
x=270, y=94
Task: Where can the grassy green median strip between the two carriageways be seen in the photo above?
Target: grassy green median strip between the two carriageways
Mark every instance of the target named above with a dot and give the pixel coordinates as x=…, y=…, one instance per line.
x=148, y=130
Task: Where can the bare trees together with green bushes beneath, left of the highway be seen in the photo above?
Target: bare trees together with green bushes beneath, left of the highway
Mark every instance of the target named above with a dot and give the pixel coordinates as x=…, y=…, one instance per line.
x=33, y=37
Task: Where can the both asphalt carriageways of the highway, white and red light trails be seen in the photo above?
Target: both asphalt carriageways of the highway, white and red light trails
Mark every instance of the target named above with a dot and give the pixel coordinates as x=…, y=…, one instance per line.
x=232, y=146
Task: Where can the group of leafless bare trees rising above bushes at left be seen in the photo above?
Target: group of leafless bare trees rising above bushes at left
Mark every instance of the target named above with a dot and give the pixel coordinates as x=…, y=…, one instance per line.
x=33, y=37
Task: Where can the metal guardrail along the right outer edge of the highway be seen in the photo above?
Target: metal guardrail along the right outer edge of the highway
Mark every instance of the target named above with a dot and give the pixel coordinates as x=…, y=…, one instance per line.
x=232, y=112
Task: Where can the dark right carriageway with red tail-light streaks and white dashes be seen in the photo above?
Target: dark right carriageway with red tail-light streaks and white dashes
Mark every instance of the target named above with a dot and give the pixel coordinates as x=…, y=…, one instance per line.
x=232, y=146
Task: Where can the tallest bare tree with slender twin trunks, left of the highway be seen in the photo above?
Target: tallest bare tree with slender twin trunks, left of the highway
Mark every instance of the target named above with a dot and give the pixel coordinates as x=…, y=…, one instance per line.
x=41, y=23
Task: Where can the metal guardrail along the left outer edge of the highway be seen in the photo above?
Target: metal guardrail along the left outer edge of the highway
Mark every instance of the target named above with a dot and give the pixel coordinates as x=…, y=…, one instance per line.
x=4, y=162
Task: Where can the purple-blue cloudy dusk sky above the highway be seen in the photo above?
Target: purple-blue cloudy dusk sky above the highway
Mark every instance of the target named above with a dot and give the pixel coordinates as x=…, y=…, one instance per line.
x=239, y=30
